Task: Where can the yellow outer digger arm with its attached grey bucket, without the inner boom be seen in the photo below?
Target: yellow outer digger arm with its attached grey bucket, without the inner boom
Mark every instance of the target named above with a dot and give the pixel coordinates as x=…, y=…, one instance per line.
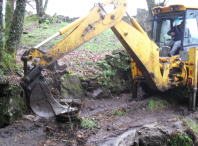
x=38, y=96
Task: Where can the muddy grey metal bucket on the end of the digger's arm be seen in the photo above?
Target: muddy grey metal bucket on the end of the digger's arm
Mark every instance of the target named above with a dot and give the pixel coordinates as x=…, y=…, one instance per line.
x=39, y=98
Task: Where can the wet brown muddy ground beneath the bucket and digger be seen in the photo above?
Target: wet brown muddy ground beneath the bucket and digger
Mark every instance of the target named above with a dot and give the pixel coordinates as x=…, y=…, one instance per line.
x=112, y=117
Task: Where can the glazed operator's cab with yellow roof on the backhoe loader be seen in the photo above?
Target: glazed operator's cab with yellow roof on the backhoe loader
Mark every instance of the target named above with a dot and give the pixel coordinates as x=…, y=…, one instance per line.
x=170, y=18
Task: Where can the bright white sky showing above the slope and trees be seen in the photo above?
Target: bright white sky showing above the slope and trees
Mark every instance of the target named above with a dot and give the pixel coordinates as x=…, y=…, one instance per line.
x=78, y=8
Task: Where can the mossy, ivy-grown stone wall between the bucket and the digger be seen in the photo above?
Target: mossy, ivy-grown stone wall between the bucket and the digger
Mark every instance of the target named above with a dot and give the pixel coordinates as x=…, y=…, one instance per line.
x=115, y=79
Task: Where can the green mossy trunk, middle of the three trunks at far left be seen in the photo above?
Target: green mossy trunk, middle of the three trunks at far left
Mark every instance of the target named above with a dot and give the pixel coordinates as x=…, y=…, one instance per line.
x=9, y=11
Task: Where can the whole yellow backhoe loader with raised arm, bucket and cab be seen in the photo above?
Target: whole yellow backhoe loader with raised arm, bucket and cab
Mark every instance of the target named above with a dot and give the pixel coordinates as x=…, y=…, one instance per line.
x=150, y=63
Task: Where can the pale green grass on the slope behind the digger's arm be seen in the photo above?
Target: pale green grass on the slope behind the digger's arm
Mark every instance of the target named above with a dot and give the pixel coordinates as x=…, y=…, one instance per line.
x=104, y=42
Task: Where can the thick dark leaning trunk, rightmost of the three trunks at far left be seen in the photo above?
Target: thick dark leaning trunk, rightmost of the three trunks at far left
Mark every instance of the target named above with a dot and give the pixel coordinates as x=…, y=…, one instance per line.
x=16, y=28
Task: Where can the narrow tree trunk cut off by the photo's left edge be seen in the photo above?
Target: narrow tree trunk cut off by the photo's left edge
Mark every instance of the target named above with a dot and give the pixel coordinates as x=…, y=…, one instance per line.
x=1, y=28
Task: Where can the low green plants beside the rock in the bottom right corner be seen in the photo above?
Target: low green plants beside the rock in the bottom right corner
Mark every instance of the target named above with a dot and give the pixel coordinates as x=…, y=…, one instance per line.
x=181, y=139
